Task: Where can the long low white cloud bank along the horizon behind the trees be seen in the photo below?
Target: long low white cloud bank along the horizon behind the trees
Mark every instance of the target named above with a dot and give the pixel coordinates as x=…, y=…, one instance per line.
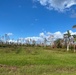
x=48, y=35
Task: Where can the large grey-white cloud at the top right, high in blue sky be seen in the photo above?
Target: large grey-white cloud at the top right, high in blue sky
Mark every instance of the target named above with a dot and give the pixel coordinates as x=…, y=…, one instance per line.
x=59, y=5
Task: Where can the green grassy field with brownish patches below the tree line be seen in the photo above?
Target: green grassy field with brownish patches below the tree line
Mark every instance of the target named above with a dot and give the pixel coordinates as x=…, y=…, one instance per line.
x=37, y=61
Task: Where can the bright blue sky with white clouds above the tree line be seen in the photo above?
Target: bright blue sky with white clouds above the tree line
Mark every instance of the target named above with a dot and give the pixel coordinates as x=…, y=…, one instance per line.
x=32, y=18
